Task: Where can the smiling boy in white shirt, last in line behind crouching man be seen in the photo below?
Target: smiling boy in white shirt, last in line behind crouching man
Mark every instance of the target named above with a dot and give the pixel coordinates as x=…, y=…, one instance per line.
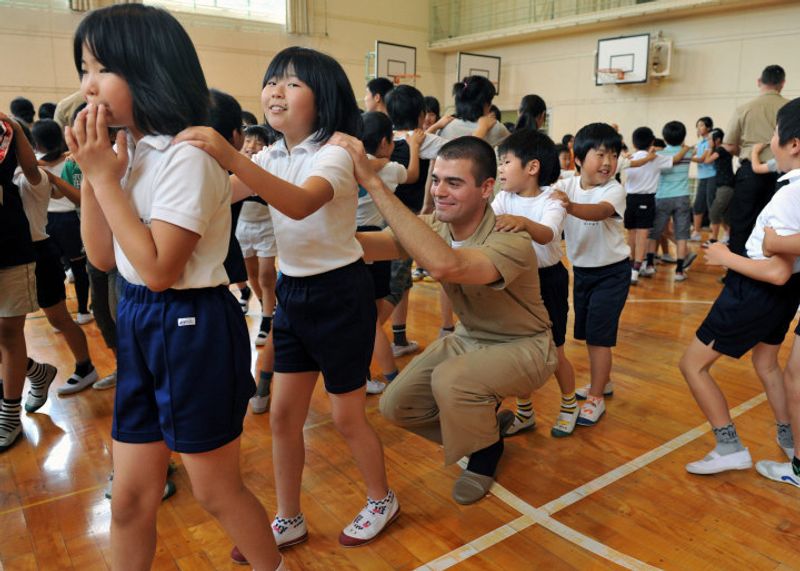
x=595, y=204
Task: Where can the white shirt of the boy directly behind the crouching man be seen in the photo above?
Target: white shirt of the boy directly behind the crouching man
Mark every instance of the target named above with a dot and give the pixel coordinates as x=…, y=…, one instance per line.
x=542, y=209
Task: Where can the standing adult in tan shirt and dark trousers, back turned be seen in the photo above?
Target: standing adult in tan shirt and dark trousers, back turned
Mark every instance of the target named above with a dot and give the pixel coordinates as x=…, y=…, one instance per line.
x=753, y=123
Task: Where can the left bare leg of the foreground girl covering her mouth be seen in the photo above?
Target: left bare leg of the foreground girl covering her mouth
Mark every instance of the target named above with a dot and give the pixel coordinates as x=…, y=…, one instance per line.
x=140, y=472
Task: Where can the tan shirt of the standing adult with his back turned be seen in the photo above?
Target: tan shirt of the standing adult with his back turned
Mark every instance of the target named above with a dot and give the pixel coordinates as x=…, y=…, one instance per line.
x=753, y=123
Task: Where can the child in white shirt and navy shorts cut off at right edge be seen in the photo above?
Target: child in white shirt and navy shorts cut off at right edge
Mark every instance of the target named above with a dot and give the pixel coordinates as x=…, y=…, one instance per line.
x=753, y=311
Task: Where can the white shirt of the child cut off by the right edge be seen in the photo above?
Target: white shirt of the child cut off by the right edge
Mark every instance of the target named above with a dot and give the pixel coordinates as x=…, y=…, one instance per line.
x=782, y=213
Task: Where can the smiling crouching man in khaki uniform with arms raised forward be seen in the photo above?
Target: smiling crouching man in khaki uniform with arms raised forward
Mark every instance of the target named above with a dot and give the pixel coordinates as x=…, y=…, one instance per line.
x=502, y=345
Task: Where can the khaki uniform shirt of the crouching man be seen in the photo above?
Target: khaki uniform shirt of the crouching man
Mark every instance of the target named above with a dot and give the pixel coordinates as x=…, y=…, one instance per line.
x=508, y=309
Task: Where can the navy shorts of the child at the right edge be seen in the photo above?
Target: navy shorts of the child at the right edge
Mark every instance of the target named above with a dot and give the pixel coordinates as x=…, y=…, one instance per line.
x=748, y=312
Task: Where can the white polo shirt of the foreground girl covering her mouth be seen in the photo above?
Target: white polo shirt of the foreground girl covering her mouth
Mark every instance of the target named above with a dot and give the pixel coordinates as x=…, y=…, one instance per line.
x=184, y=186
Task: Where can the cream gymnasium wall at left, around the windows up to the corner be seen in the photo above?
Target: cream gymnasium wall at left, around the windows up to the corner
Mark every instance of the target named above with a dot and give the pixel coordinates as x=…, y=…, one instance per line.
x=36, y=46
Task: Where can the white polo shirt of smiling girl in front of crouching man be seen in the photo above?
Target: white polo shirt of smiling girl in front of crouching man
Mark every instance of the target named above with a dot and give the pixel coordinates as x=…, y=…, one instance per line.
x=326, y=239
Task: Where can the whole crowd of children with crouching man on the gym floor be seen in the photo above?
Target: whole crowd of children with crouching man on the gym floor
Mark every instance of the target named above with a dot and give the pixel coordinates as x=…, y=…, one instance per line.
x=181, y=195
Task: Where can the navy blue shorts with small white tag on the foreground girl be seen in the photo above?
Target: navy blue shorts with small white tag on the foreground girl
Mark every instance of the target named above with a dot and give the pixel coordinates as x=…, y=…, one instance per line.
x=183, y=368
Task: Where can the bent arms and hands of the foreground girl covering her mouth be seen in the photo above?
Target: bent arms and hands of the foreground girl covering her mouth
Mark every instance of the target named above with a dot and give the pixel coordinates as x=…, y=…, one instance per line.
x=158, y=253
